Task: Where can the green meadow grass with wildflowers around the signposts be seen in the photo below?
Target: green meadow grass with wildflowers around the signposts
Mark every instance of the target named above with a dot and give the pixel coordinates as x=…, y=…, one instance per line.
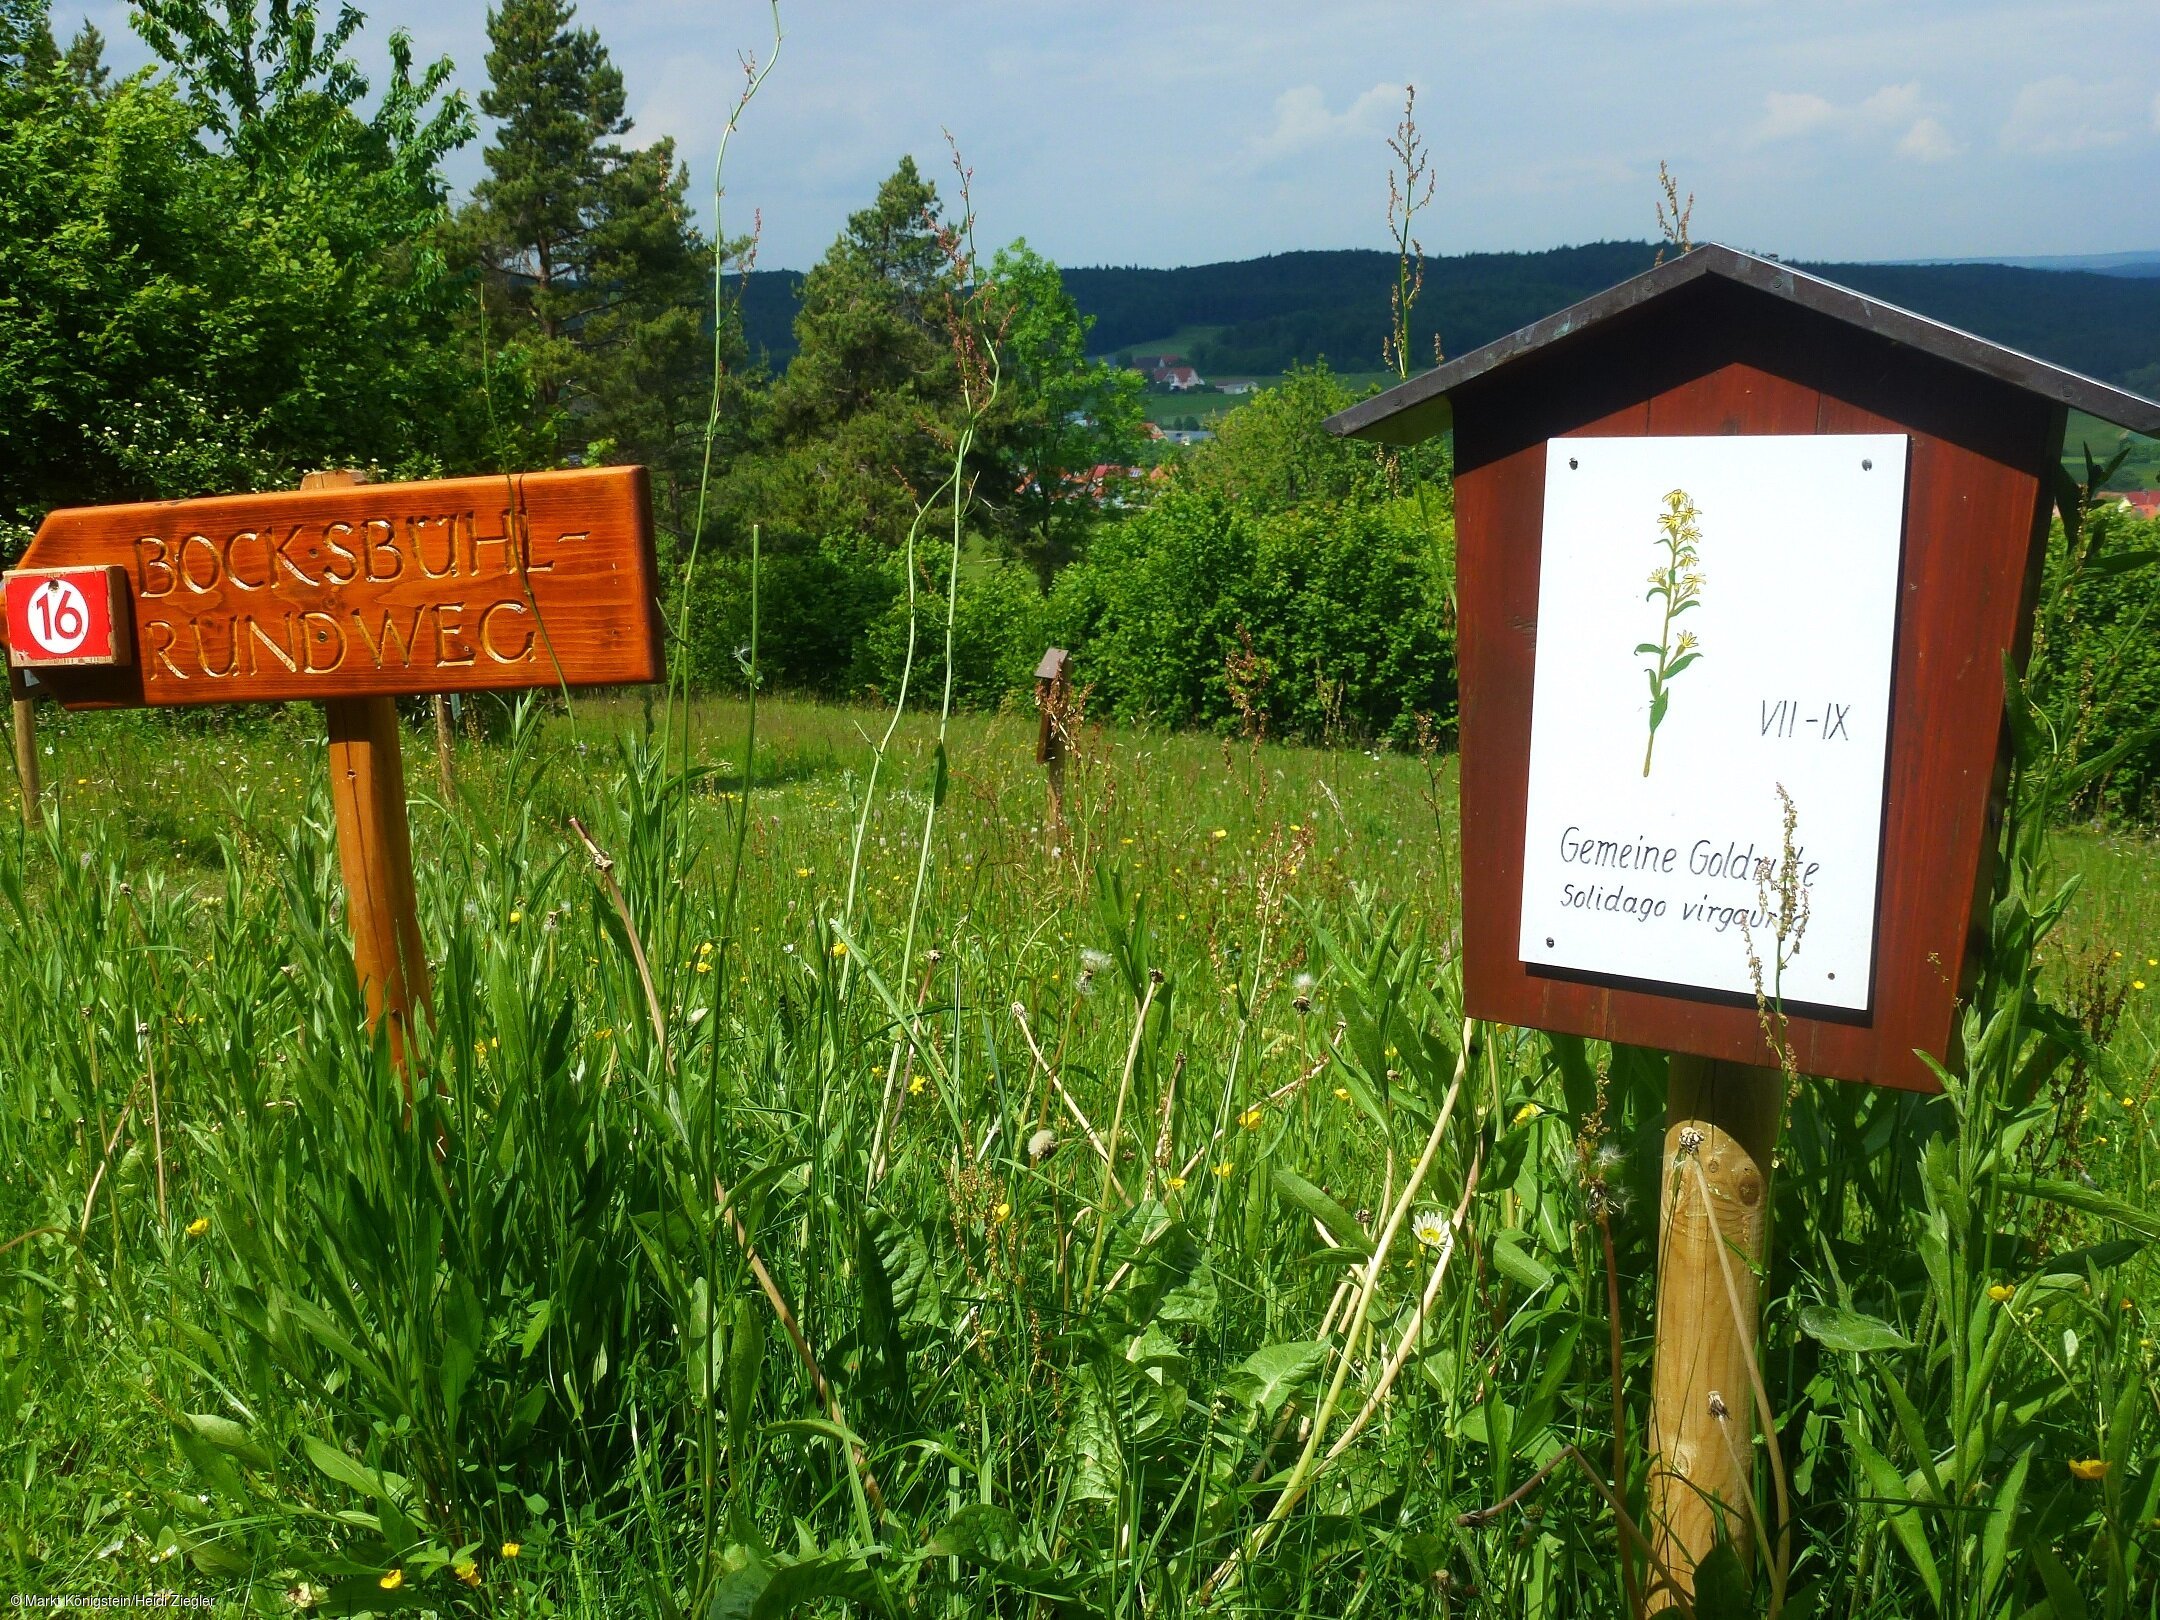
x=280, y=1336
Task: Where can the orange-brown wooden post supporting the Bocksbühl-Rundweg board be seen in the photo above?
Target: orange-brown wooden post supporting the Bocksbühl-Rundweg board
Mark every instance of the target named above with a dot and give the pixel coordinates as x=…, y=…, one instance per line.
x=375, y=848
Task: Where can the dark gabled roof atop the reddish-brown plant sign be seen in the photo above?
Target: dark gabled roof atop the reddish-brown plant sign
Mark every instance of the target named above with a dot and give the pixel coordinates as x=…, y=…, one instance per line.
x=1420, y=409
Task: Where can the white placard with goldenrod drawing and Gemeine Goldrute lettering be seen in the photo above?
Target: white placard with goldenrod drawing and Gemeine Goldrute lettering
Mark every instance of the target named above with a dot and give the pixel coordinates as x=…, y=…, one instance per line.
x=1643, y=846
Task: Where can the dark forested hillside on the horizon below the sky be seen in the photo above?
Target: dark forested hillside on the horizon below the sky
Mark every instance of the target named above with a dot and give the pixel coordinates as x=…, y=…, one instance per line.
x=1263, y=316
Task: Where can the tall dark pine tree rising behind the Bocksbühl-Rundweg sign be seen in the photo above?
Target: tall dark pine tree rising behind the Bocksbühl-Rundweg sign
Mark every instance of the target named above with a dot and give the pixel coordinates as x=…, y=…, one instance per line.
x=595, y=269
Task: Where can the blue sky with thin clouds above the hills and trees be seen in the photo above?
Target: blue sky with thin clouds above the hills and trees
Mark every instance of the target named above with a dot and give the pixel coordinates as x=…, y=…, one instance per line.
x=1219, y=129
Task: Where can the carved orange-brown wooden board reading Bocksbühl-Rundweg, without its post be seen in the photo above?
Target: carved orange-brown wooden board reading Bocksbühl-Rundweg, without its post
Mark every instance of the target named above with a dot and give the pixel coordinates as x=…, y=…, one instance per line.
x=478, y=584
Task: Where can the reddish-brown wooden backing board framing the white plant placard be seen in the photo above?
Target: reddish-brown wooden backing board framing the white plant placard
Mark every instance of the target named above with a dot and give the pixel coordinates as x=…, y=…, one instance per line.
x=1718, y=360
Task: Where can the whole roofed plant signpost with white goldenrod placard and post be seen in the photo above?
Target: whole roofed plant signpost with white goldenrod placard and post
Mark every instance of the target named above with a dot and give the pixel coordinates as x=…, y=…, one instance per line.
x=1731, y=535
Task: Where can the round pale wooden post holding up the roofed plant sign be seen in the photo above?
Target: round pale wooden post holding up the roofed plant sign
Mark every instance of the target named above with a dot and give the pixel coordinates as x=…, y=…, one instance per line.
x=1720, y=1120
